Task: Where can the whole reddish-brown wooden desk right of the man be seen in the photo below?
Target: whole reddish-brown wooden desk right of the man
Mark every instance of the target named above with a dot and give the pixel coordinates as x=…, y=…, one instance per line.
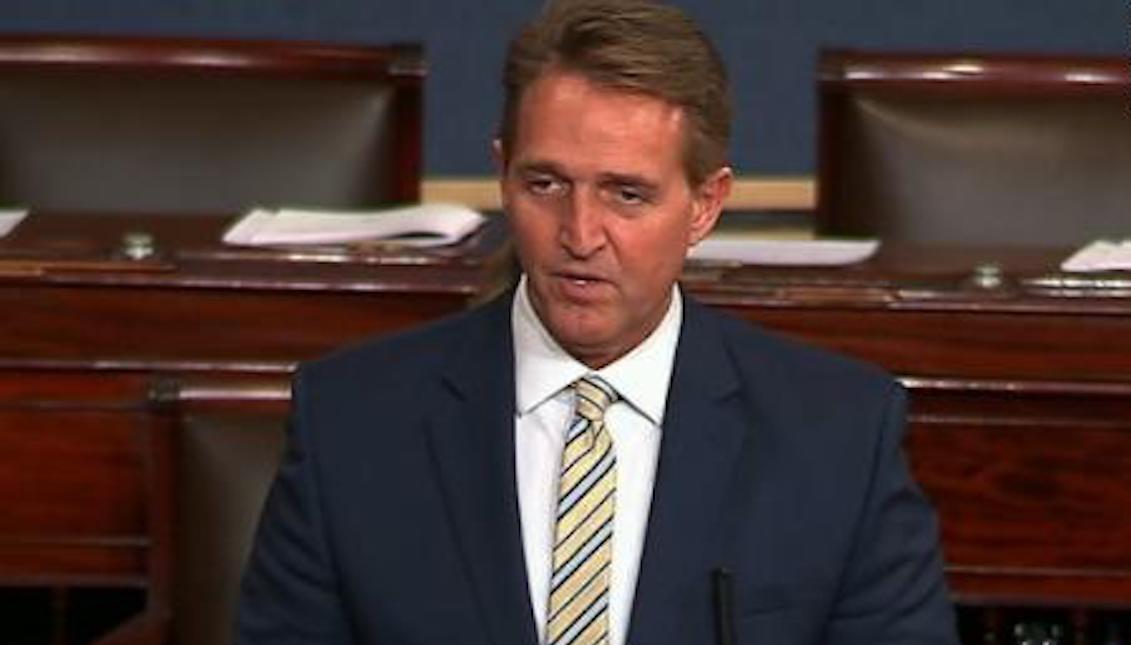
x=1021, y=408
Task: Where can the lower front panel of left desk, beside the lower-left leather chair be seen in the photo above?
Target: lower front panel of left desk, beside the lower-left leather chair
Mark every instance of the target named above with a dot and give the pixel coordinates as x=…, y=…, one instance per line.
x=73, y=472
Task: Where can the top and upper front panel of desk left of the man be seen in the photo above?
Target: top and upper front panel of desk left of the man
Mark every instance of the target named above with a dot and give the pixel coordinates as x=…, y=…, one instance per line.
x=197, y=305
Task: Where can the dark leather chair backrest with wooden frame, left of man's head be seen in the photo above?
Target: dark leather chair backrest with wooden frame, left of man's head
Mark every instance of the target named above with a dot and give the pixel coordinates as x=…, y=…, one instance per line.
x=152, y=126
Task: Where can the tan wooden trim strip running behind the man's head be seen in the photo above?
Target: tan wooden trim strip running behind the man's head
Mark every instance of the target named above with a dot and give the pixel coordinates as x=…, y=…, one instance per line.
x=749, y=193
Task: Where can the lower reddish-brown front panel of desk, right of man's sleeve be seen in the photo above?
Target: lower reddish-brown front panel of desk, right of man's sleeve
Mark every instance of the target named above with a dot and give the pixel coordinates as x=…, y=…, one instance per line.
x=1033, y=497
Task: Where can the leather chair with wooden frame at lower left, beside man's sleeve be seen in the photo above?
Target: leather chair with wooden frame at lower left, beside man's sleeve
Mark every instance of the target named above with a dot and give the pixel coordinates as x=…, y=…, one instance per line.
x=214, y=457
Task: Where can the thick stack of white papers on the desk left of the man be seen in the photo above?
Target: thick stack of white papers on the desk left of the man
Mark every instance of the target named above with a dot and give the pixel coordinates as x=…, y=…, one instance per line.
x=425, y=226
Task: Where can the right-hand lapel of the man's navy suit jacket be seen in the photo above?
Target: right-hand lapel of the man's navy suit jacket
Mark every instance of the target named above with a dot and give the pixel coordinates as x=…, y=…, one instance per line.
x=703, y=435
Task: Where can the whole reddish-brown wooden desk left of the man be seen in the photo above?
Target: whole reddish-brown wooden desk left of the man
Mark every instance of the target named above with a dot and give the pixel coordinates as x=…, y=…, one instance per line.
x=87, y=333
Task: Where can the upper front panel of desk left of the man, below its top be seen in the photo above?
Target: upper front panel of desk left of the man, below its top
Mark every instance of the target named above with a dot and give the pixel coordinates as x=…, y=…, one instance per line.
x=238, y=328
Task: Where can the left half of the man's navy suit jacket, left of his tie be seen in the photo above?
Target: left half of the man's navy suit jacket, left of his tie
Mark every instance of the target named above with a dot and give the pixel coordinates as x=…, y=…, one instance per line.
x=398, y=471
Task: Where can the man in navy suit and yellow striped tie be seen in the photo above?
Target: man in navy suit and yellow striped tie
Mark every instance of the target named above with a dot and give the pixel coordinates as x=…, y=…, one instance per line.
x=597, y=459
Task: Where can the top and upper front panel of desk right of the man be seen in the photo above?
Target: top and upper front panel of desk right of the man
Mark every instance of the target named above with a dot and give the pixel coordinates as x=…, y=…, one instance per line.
x=919, y=312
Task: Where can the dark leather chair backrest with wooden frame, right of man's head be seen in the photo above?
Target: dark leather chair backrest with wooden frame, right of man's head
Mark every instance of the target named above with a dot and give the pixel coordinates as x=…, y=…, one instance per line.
x=974, y=149
